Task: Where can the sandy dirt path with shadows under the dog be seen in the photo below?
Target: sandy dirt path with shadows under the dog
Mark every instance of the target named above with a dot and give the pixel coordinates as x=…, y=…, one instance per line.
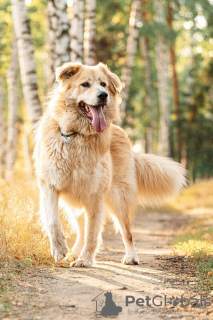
x=63, y=294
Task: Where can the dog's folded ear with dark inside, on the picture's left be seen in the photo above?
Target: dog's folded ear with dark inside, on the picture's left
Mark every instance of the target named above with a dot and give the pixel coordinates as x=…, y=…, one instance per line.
x=67, y=70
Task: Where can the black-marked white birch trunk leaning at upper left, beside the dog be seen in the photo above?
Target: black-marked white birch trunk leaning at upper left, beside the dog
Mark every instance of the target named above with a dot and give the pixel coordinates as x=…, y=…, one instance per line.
x=26, y=60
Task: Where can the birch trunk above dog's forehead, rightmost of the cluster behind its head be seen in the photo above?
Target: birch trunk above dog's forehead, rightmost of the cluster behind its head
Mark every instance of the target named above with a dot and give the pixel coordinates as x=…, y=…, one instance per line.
x=89, y=33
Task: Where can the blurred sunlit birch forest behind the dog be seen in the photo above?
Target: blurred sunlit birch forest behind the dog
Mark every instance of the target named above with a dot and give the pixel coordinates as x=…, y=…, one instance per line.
x=162, y=50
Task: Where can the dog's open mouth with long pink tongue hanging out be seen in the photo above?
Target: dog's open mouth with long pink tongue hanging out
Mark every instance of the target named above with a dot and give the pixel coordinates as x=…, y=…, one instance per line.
x=95, y=115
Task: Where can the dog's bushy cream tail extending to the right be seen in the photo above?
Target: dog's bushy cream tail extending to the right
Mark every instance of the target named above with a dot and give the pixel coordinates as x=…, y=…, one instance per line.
x=158, y=178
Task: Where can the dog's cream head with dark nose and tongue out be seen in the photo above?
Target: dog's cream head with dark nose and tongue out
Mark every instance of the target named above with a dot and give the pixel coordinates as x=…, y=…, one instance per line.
x=91, y=95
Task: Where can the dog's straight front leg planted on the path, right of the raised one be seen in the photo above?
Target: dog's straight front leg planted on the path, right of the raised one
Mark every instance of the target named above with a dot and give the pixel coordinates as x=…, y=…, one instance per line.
x=94, y=221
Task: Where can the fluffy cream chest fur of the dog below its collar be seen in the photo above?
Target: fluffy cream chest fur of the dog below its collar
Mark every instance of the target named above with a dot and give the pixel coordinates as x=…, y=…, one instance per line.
x=77, y=170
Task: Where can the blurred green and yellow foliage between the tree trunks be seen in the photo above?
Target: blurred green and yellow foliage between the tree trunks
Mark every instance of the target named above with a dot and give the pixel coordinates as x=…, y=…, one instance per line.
x=192, y=35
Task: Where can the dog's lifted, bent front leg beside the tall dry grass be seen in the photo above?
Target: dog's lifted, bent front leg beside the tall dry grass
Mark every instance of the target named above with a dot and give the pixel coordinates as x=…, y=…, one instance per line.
x=50, y=220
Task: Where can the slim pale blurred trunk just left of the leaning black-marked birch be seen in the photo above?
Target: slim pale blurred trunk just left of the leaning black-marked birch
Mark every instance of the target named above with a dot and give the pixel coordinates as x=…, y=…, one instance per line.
x=12, y=84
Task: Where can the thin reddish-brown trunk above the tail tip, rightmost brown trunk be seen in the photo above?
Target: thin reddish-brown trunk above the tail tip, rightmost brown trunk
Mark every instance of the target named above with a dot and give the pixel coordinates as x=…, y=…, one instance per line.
x=175, y=87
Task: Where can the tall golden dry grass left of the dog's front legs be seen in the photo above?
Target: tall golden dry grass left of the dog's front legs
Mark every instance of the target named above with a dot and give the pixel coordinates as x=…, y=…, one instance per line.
x=21, y=236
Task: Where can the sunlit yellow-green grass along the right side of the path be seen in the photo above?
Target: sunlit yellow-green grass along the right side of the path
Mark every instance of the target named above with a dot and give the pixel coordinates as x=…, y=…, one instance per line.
x=195, y=241
